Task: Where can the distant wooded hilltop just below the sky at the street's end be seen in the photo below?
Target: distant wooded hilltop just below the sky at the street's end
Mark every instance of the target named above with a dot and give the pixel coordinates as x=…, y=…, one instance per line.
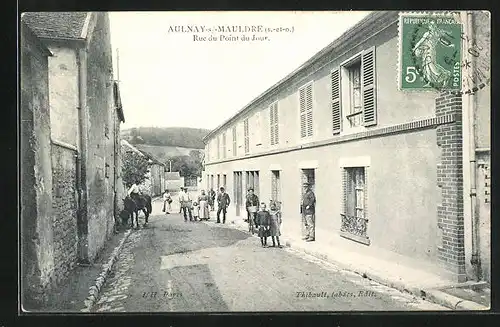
x=167, y=136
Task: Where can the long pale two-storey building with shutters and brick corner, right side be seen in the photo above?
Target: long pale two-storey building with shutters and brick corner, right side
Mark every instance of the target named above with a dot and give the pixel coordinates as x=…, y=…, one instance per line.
x=387, y=166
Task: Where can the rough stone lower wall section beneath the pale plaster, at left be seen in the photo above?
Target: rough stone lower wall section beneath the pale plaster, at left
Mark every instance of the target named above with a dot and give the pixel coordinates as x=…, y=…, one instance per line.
x=65, y=211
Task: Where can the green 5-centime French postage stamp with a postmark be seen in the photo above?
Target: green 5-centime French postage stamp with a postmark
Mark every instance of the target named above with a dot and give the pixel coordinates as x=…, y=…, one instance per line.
x=430, y=52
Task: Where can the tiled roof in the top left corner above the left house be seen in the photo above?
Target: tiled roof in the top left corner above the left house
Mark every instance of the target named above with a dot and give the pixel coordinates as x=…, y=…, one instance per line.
x=57, y=25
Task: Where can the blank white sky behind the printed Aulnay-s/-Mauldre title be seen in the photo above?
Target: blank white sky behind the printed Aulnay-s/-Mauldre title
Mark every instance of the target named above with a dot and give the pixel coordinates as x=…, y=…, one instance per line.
x=168, y=79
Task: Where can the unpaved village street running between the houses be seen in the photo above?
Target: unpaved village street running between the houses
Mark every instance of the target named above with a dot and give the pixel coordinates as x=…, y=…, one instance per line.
x=175, y=266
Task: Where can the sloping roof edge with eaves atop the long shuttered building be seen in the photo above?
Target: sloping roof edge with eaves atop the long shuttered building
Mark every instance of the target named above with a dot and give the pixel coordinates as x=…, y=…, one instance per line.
x=363, y=29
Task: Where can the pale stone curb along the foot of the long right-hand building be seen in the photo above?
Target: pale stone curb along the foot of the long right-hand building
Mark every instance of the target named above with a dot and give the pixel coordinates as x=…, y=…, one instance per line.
x=435, y=296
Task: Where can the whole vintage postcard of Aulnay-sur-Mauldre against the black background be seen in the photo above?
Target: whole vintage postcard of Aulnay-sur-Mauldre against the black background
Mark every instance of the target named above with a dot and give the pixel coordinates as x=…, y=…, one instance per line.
x=332, y=161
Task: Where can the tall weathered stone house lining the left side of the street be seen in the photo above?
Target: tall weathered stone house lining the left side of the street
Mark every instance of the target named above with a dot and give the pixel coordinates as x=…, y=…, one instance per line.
x=83, y=123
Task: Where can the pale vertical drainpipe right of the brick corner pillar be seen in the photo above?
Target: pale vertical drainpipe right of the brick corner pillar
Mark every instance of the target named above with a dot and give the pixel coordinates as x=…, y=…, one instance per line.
x=471, y=106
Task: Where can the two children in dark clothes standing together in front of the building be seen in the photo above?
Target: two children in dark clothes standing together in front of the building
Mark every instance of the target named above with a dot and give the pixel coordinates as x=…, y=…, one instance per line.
x=268, y=223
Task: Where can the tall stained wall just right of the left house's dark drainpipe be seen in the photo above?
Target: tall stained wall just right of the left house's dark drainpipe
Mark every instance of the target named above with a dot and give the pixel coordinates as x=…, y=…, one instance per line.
x=100, y=163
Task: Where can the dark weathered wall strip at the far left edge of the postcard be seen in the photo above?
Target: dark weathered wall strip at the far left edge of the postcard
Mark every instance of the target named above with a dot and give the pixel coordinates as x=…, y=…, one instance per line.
x=36, y=177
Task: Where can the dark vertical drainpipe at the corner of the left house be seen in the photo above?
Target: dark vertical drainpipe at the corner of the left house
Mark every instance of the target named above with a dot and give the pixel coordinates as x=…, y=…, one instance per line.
x=82, y=158
